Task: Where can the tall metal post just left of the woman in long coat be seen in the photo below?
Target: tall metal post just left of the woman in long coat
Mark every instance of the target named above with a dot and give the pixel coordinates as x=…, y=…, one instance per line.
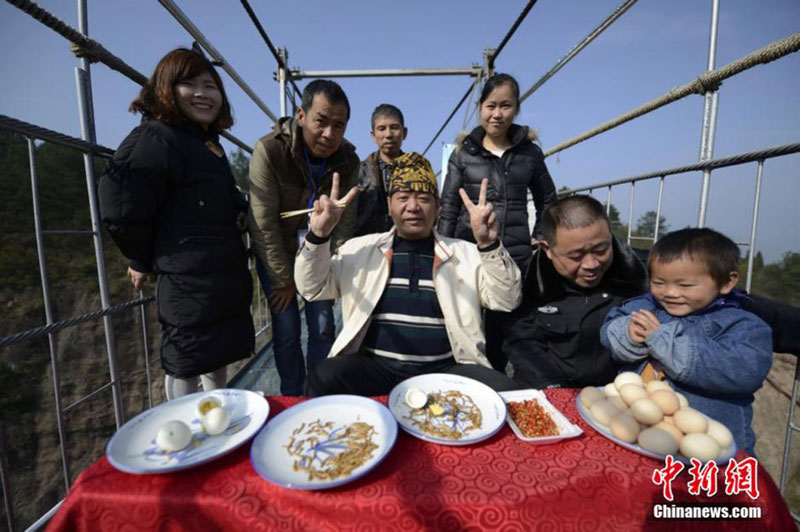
x=85, y=106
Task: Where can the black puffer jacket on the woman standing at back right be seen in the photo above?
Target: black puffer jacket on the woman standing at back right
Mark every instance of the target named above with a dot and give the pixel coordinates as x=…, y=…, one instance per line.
x=520, y=169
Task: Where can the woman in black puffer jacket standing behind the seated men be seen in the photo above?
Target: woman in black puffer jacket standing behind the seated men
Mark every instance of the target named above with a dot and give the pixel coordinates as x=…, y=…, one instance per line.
x=503, y=153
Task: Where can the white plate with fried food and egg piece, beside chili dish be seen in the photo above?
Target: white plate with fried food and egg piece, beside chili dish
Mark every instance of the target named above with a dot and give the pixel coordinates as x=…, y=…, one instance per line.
x=457, y=415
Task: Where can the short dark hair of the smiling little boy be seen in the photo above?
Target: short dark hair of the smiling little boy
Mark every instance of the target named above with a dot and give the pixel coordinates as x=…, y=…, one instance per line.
x=718, y=253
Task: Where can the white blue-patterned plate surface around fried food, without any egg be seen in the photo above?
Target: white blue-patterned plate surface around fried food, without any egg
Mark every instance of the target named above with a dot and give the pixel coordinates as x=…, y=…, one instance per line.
x=270, y=456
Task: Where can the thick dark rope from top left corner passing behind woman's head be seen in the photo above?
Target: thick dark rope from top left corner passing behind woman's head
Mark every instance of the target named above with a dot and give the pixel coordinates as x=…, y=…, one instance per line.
x=83, y=46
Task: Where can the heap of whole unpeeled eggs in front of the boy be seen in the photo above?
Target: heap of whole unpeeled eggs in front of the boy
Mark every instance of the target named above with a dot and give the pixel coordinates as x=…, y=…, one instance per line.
x=656, y=417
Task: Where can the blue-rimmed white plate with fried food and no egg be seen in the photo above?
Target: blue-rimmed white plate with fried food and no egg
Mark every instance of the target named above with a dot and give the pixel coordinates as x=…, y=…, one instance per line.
x=324, y=442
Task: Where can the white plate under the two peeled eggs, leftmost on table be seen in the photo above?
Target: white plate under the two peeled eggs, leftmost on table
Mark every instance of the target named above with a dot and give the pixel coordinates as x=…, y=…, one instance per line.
x=133, y=447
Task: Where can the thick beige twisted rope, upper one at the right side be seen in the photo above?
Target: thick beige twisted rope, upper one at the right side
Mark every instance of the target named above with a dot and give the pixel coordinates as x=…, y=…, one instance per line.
x=708, y=81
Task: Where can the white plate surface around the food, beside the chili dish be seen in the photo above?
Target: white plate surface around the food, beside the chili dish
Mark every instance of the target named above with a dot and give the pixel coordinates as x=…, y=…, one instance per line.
x=491, y=405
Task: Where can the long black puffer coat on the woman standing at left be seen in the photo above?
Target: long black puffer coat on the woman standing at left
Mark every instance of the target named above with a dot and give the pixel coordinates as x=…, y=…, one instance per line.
x=171, y=205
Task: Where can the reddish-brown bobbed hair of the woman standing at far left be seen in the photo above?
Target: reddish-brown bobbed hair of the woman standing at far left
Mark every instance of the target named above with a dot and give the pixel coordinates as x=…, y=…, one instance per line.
x=157, y=97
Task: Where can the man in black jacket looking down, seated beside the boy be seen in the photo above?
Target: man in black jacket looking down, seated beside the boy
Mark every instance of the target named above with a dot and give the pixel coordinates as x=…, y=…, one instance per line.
x=577, y=275
